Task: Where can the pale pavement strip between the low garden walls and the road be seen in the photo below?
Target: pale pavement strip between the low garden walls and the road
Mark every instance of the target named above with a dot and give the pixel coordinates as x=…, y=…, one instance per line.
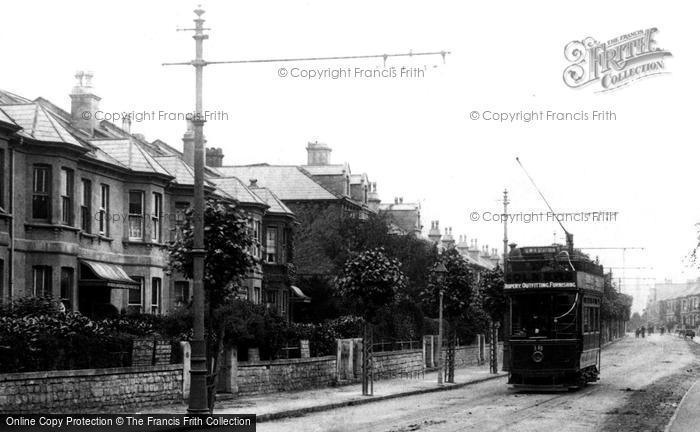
x=292, y=404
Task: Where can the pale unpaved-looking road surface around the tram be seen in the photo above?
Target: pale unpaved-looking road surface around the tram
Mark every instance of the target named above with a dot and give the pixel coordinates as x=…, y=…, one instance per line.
x=642, y=380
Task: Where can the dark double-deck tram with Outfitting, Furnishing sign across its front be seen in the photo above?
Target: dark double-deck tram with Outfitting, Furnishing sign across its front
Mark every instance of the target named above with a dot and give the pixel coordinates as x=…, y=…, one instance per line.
x=552, y=329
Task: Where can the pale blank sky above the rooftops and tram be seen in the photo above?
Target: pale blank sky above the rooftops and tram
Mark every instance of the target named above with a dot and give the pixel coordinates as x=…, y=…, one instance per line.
x=413, y=136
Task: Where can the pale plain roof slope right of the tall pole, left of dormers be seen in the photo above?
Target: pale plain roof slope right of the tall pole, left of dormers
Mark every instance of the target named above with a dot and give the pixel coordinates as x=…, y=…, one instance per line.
x=288, y=182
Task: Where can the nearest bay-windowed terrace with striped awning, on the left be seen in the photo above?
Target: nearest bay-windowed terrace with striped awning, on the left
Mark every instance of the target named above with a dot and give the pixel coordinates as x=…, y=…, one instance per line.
x=87, y=209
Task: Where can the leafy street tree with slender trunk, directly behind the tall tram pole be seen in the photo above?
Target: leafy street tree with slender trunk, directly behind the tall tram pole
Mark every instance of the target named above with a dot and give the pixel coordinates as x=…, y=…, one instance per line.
x=228, y=242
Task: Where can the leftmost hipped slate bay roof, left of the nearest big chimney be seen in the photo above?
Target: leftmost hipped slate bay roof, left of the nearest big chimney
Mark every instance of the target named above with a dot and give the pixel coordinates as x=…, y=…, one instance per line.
x=39, y=124
